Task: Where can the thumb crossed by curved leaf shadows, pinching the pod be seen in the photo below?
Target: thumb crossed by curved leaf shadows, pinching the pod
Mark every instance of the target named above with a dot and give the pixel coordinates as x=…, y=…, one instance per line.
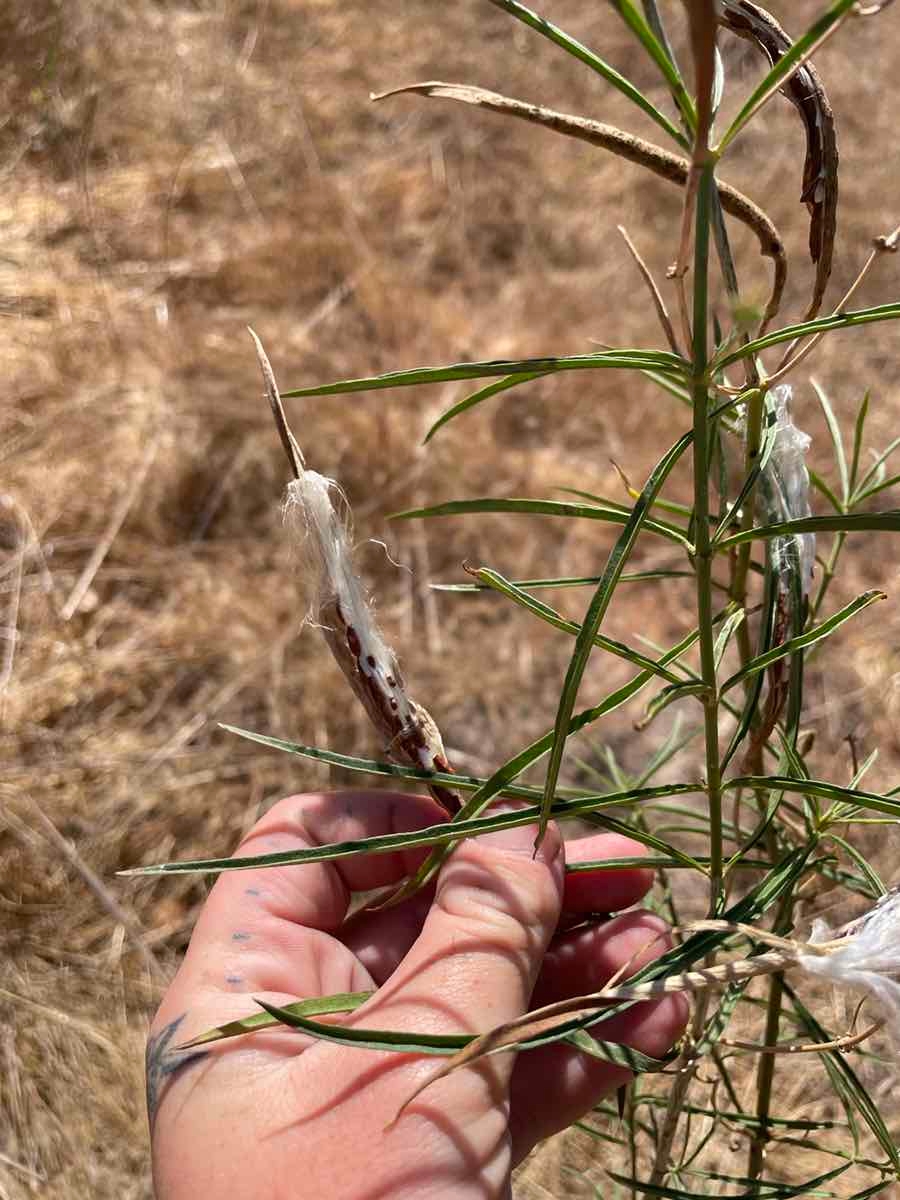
x=477, y=959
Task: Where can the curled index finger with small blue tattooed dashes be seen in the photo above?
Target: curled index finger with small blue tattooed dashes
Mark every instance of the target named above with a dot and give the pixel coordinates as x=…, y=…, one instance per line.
x=269, y=929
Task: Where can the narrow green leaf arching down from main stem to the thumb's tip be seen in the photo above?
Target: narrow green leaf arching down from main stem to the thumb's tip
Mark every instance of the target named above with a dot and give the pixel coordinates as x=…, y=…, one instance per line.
x=597, y=611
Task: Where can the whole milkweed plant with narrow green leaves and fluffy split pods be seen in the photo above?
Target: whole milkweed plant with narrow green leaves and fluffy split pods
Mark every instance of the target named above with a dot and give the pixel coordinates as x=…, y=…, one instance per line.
x=753, y=547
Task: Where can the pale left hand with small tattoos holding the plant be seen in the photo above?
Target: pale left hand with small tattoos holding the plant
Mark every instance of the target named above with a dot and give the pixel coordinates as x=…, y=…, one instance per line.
x=279, y=1117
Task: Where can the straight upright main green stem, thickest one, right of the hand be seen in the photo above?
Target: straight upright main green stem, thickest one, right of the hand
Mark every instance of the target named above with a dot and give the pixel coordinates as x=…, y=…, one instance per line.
x=704, y=561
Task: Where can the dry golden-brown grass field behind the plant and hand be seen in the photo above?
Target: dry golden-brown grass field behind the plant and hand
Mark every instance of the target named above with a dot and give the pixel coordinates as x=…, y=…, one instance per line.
x=176, y=172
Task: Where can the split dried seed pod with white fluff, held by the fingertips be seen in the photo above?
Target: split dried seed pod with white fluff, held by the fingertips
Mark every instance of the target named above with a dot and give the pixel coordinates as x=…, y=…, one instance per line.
x=339, y=607
